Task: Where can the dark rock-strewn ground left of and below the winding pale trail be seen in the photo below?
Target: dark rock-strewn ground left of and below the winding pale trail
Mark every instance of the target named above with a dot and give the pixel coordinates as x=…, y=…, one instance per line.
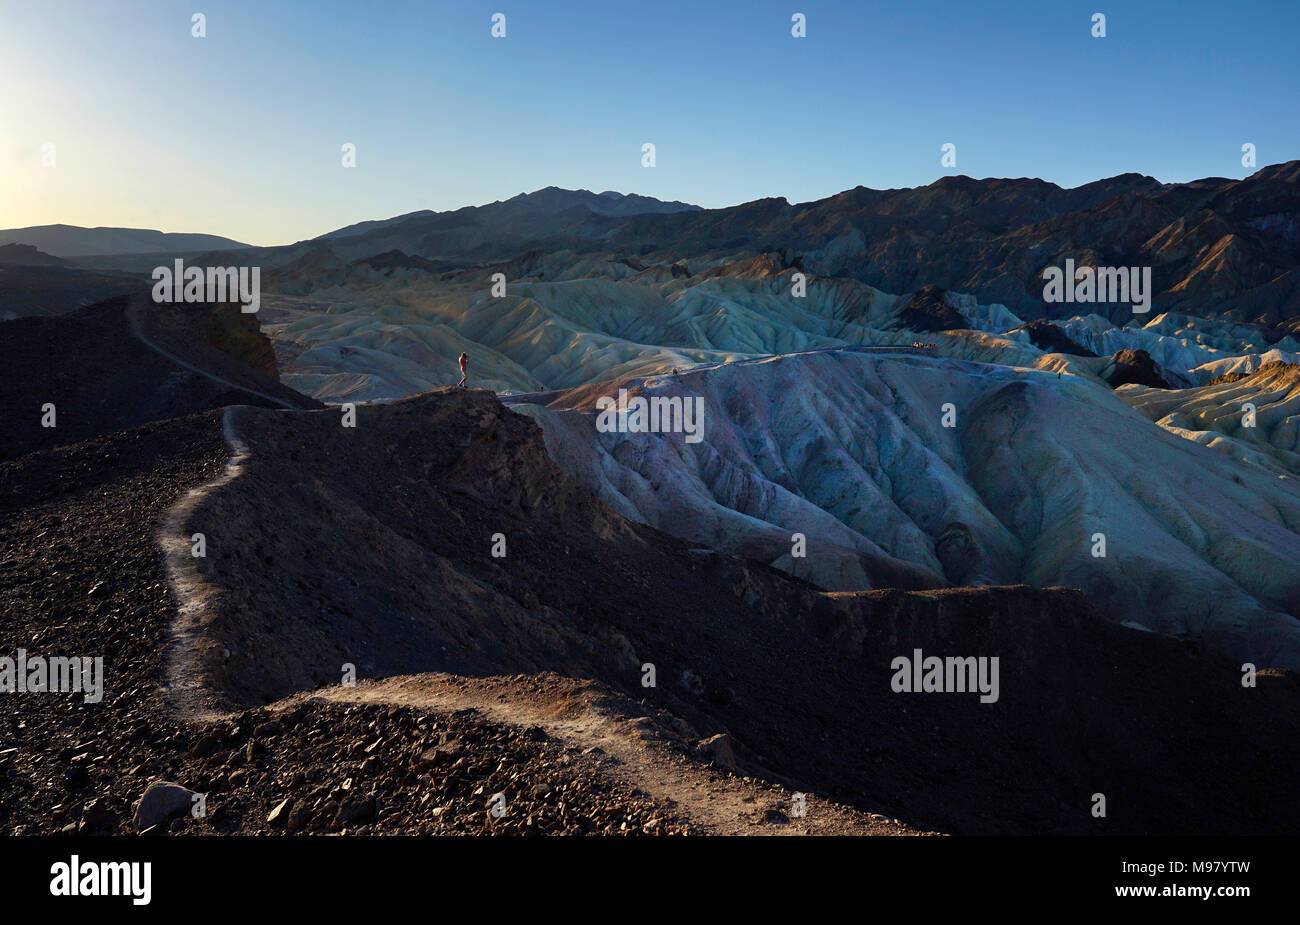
x=81, y=575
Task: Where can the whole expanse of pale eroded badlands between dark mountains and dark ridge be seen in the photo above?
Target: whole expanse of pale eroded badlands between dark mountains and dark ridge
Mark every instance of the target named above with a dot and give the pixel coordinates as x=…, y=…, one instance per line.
x=825, y=422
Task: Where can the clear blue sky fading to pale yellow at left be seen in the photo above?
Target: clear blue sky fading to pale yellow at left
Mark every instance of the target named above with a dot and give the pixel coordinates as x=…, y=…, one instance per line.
x=240, y=133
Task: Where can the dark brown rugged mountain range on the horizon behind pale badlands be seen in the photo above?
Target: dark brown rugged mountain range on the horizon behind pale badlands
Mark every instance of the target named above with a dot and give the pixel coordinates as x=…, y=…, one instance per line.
x=1216, y=246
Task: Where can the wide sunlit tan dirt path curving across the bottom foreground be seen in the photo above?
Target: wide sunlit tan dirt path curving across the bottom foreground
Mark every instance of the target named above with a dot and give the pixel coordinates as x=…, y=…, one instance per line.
x=583, y=716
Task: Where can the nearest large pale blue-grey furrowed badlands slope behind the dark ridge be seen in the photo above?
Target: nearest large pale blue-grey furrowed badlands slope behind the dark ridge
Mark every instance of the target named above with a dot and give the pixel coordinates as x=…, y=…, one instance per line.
x=1041, y=480
